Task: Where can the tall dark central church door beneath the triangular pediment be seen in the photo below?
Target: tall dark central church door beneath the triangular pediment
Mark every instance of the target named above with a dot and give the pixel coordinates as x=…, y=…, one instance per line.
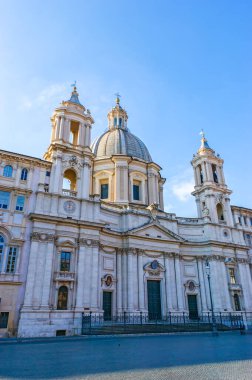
x=154, y=300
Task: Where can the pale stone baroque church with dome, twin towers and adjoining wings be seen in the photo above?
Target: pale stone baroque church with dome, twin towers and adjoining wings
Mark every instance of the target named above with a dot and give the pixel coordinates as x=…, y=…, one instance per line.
x=84, y=230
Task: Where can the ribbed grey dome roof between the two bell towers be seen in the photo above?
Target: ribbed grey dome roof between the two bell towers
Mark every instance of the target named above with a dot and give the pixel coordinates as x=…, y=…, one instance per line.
x=120, y=141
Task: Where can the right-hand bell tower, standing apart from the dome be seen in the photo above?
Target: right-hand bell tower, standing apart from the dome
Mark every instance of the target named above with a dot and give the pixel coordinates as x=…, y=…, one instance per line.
x=211, y=192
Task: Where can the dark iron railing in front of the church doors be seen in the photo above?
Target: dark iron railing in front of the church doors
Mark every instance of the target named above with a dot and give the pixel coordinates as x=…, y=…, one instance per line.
x=150, y=322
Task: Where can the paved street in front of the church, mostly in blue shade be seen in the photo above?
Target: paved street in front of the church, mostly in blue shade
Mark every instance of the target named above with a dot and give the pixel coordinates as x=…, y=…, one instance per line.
x=228, y=356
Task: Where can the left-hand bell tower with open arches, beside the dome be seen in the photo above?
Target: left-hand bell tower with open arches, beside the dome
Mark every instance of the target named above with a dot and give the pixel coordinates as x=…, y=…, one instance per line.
x=69, y=149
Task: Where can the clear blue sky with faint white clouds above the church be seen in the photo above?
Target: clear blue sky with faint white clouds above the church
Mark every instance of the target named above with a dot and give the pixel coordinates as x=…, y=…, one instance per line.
x=180, y=66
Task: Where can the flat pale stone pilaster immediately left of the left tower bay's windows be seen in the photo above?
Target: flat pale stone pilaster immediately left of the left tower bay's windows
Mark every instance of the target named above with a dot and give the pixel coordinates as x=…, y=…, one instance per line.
x=48, y=273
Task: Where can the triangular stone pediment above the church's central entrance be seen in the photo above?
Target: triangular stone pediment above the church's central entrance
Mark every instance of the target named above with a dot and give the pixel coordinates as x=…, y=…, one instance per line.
x=155, y=231
